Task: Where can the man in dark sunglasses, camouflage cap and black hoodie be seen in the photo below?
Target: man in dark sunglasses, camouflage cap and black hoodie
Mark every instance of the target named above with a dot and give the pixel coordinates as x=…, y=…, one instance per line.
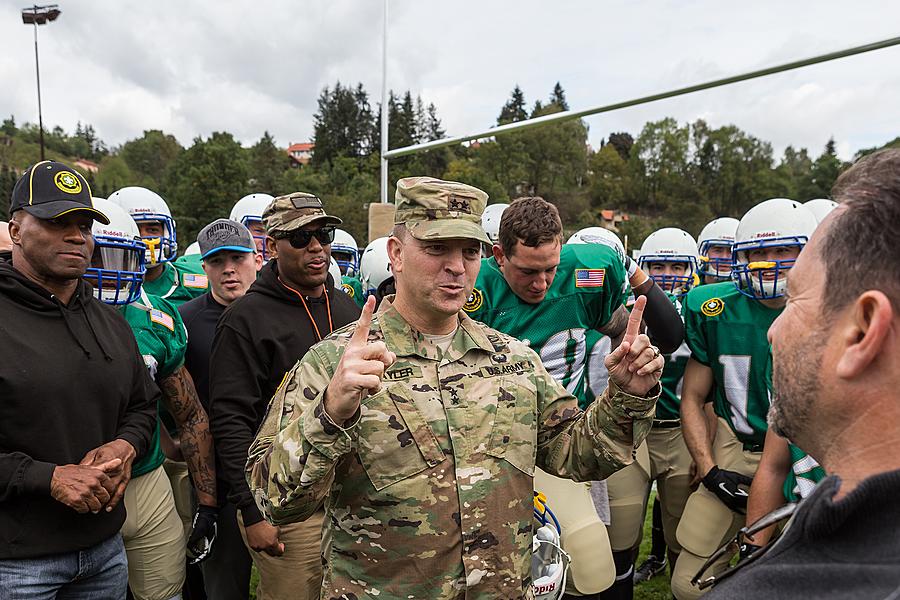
x=259, y=338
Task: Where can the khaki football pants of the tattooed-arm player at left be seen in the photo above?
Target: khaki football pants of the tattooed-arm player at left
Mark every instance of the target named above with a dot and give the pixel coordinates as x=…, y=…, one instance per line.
x=154, y=538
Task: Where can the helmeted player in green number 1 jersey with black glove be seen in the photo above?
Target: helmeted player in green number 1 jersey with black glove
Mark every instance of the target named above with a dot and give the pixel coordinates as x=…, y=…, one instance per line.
x=725, y=328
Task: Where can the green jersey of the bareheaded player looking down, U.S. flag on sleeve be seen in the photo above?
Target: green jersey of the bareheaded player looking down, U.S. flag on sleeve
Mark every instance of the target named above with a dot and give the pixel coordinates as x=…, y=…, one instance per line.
x=585, y=293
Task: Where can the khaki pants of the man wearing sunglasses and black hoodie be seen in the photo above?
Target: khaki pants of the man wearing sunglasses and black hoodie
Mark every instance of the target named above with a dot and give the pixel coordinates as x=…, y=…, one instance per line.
x=297, y=574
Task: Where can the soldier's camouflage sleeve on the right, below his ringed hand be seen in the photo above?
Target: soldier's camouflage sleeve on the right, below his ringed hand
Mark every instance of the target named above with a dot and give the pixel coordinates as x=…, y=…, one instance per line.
x=592, y=444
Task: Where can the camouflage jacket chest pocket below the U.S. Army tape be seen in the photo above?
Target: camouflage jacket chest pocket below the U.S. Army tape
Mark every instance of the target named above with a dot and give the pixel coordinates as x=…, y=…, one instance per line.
x=514, y=434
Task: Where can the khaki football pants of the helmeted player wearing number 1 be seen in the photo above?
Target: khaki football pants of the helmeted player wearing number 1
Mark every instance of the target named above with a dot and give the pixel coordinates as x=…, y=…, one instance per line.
x=707, y=523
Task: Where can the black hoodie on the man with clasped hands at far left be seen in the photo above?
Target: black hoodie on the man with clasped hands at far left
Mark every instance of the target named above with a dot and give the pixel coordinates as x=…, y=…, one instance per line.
x=71, y=379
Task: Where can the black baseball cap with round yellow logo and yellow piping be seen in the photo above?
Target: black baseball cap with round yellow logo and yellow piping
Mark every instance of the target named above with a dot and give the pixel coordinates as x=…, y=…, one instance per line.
x=50, y=189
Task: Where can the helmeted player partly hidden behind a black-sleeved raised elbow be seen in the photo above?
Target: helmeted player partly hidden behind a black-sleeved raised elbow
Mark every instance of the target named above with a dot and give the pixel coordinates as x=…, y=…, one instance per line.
x=669, y=256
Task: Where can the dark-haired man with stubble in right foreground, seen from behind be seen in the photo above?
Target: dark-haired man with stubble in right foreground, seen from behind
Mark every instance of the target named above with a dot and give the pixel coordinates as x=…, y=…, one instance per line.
x=836, y=373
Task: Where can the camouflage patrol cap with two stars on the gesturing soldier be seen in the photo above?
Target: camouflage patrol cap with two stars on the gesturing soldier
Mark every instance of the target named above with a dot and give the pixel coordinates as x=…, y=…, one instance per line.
x=433, y=209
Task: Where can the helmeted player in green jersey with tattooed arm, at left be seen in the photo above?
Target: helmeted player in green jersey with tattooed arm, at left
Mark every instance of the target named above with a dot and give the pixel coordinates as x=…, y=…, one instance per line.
x=153, y=533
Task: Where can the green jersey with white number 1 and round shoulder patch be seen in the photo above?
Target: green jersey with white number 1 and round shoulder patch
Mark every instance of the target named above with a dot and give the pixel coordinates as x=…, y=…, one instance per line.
x=726, y=331
